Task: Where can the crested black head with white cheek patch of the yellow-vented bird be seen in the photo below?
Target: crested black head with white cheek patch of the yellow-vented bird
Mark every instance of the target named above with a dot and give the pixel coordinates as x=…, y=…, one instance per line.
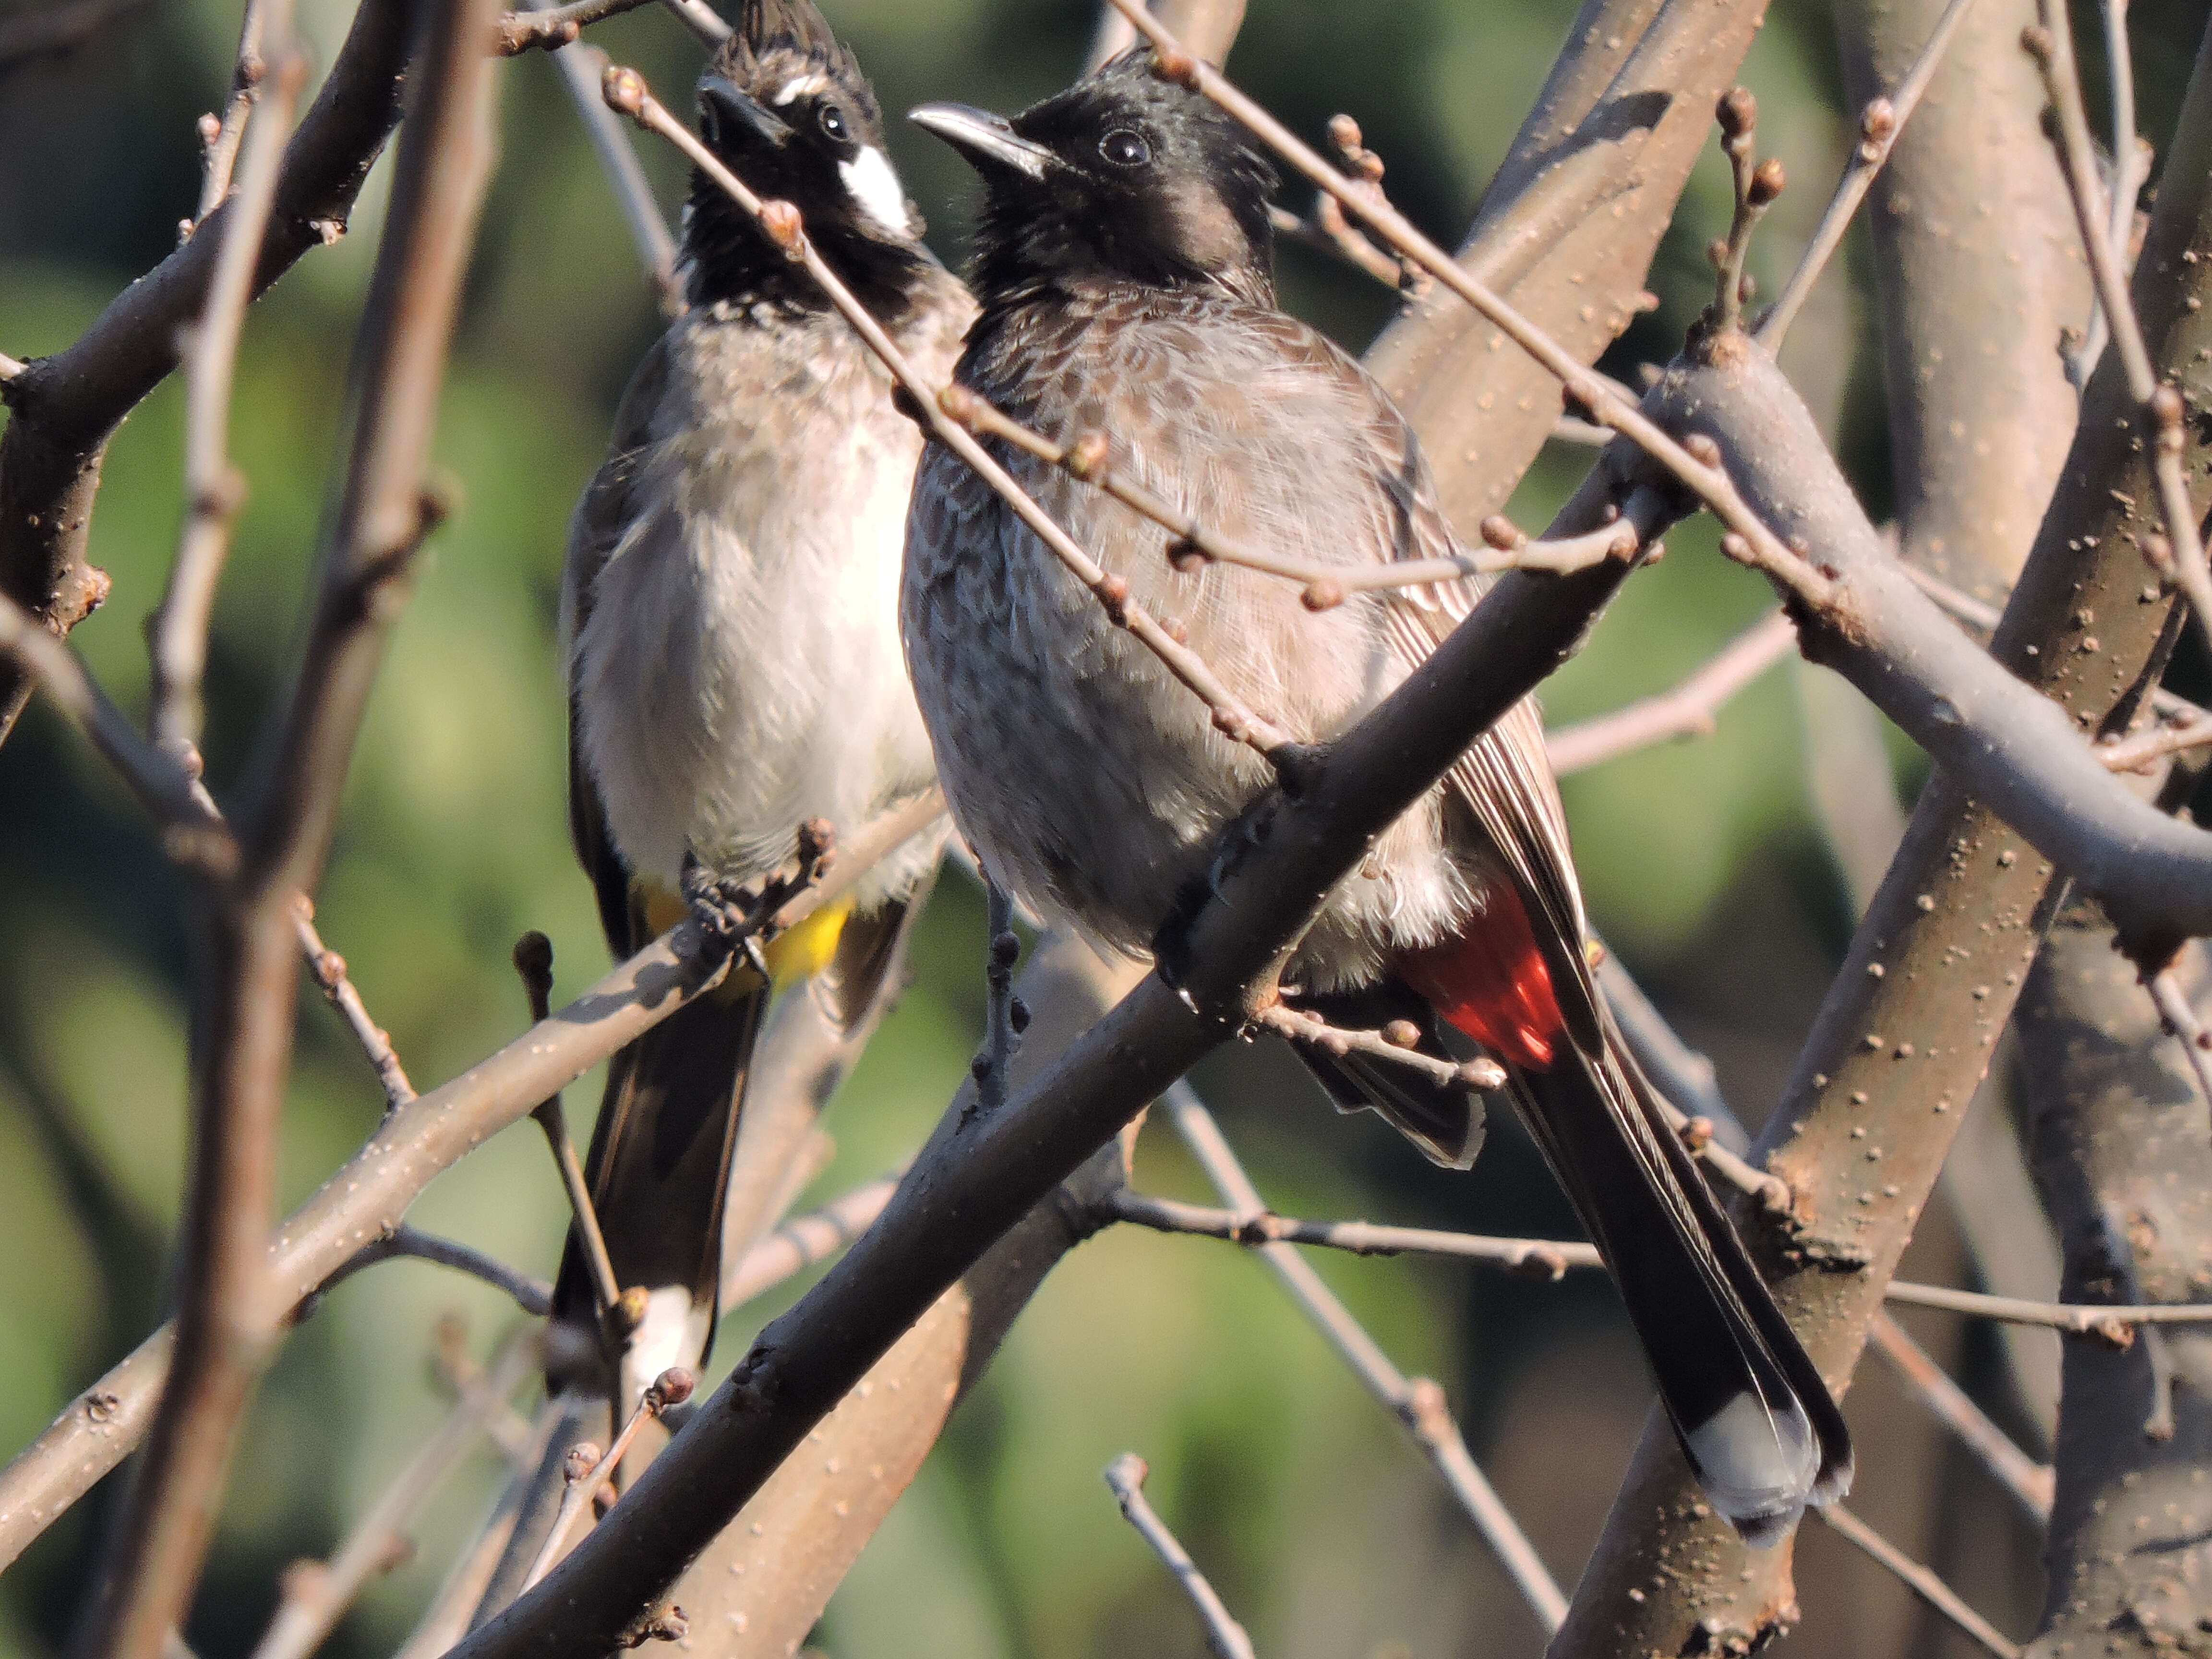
x=791, y=114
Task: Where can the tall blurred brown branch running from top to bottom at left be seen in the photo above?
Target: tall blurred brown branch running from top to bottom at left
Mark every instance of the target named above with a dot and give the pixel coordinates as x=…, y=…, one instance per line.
x=229, y=1322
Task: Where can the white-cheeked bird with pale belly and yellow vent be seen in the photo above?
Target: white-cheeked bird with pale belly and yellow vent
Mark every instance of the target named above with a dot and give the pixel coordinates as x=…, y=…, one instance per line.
x=731, y=638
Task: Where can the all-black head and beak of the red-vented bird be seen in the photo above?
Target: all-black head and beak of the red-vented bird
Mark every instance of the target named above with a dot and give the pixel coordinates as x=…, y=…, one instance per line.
x=1120, y=178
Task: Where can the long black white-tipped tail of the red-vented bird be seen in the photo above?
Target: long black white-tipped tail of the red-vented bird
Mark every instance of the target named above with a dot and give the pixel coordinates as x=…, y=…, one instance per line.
x=1753, y=1415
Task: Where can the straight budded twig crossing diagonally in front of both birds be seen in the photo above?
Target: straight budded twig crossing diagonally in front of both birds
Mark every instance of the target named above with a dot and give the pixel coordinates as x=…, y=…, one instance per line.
x=780, y=220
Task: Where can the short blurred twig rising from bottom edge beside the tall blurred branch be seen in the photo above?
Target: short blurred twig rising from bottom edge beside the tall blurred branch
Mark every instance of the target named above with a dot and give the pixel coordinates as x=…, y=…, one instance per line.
x=317, y=1594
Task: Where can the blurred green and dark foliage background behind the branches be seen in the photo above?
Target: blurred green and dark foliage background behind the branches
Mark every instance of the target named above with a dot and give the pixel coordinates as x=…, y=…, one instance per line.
x=1297, y=1494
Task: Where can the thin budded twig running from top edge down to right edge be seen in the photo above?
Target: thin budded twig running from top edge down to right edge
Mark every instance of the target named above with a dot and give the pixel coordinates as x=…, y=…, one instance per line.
x=2162, y=406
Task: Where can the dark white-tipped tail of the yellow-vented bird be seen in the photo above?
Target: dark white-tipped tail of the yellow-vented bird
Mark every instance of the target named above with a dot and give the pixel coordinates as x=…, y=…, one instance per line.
x=658, y=1176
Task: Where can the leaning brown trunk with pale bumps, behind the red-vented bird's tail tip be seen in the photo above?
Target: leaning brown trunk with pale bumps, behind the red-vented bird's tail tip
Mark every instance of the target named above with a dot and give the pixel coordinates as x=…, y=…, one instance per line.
x=1932, y=977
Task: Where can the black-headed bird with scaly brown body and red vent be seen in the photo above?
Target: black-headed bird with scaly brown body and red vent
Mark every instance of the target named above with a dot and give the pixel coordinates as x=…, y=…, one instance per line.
x=1125, y=271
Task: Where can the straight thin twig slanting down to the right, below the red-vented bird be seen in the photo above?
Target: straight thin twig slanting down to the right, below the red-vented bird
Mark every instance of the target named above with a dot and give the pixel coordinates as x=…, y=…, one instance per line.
x=1417, y=1404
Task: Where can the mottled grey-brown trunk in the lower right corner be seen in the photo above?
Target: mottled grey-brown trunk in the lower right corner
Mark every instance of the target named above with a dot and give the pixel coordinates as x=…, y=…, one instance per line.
x=2125, y=1160
